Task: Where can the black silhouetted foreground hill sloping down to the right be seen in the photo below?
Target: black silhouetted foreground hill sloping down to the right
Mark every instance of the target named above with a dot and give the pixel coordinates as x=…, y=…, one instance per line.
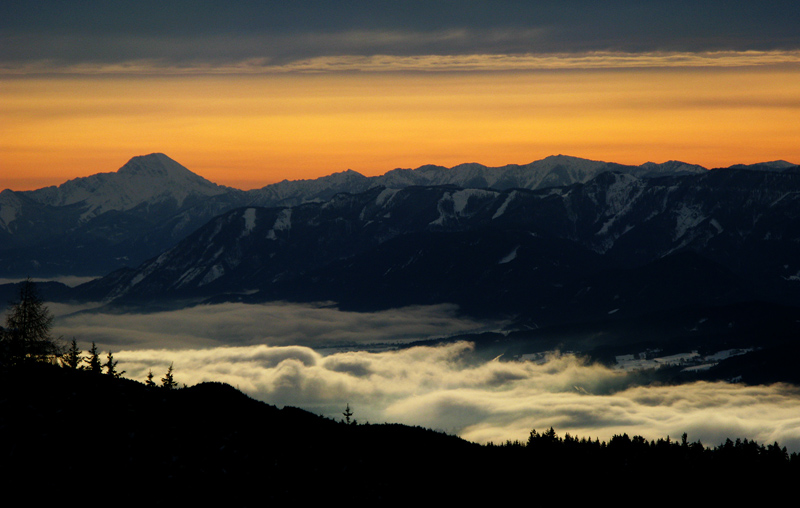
x=66, y=434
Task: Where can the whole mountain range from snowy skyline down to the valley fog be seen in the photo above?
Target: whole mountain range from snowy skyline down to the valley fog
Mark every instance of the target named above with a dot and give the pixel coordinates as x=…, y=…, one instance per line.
x=574, y=254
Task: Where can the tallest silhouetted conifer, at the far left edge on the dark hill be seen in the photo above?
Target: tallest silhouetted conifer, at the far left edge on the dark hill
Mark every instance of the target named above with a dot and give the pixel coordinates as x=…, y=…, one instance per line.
x=26, y=337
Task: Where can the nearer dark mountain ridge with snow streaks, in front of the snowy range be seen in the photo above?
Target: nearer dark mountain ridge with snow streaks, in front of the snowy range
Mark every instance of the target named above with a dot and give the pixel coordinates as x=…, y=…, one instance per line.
x=617, y=243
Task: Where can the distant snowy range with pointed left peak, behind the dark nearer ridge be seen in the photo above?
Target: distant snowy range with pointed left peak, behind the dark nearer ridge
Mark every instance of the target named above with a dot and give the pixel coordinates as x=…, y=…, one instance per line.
x=96, y=224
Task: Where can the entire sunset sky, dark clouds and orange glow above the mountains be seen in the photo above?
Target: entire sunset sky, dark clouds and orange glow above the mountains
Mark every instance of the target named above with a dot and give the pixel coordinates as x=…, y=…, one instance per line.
x=250, y=93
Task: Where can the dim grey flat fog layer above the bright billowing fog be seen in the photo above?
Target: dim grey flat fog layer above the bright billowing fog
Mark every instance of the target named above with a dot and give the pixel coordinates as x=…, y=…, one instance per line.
x=275, y=324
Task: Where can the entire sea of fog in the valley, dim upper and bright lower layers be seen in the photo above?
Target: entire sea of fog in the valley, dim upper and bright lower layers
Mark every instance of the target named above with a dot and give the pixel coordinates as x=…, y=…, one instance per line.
x=321, y=359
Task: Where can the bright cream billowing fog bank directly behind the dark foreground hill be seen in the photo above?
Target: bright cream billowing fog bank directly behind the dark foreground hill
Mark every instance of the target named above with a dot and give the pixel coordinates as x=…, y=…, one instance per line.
x=440, y=388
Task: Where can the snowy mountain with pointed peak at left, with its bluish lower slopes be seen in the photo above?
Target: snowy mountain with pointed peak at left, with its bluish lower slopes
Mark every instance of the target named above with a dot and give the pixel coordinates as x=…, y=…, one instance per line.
x=98, y=223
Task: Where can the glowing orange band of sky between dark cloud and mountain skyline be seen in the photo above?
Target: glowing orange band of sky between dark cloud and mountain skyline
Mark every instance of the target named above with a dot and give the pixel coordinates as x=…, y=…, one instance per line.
x=247, y=131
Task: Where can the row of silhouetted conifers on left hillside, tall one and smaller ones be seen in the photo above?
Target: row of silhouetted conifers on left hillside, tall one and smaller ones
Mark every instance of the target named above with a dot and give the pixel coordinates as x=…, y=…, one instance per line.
x=26, y=339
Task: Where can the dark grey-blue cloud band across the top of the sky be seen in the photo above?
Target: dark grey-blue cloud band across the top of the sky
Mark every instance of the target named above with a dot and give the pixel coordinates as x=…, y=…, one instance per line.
x=214, y=32
